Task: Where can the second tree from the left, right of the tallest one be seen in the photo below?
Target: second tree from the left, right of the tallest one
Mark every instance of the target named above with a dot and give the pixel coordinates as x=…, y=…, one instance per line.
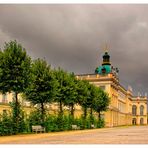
x=43, y=85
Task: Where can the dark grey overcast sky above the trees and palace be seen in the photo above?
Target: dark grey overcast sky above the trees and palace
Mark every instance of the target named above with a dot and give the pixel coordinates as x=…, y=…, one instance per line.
x=72, y=36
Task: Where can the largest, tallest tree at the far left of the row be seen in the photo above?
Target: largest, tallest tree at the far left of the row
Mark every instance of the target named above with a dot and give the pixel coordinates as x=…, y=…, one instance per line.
x=14, y=71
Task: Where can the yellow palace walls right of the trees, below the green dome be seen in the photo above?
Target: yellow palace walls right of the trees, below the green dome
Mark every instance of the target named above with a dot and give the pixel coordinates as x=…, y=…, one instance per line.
x=120, y=108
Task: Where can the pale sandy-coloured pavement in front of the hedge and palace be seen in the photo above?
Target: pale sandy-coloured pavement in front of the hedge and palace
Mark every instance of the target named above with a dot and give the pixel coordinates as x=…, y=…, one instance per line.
x=118, y=135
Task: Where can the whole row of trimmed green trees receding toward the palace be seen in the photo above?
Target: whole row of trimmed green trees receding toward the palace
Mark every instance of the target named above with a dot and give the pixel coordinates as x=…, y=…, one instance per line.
x=42, y=85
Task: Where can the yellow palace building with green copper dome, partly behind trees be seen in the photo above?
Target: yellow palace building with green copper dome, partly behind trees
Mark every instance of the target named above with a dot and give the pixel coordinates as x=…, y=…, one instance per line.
x=124, y=108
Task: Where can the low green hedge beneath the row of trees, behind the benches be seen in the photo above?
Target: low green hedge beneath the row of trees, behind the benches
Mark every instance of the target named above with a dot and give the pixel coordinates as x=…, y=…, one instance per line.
x=52, y=123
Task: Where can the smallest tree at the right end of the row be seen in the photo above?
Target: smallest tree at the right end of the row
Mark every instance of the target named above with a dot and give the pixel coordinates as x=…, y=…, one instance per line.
x=101, y=102
